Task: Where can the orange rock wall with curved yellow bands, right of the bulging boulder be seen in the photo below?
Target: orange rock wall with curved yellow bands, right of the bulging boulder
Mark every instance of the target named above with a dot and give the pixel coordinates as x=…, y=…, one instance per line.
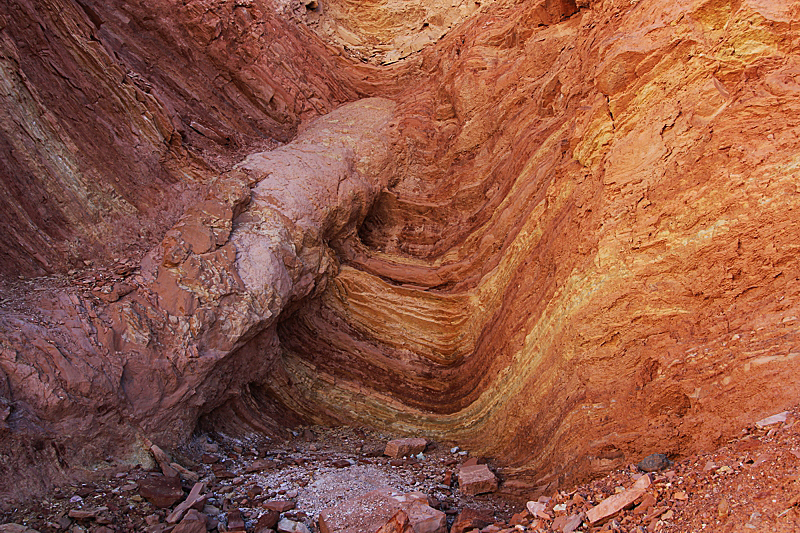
x=590, y=254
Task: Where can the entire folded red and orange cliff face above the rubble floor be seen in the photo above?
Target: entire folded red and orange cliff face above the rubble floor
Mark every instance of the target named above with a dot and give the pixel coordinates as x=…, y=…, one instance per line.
x=563, y=235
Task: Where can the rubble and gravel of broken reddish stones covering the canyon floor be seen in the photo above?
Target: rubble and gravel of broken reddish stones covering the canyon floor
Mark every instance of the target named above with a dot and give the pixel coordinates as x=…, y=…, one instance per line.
x=252, y=484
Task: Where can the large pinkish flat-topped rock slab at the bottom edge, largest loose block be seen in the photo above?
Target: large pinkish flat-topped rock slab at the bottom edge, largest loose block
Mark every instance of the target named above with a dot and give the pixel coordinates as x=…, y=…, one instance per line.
x=375, y=509
